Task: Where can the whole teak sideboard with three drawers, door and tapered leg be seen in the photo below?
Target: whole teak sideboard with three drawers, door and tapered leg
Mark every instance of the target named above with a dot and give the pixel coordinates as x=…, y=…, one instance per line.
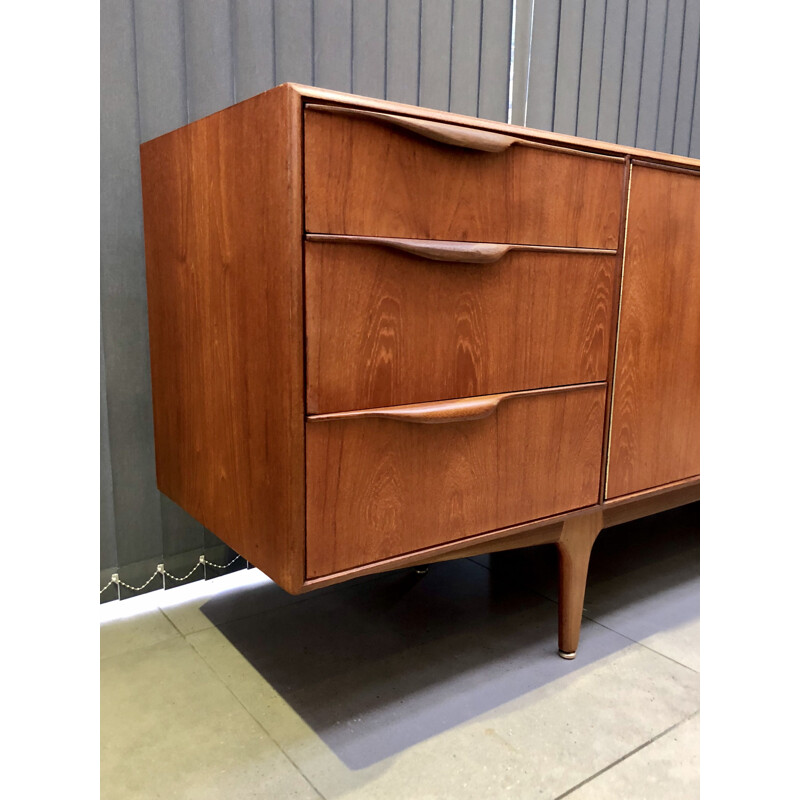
x=383, y=335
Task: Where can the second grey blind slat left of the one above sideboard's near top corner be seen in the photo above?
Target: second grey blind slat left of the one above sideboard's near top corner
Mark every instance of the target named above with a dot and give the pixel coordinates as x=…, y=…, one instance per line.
x=209, y=56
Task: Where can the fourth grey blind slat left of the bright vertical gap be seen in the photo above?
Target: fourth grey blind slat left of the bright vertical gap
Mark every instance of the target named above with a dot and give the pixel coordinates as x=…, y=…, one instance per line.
x=402, y=51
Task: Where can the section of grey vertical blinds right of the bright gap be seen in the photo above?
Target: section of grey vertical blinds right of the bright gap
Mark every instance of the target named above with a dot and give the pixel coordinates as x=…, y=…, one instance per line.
x=622, y=71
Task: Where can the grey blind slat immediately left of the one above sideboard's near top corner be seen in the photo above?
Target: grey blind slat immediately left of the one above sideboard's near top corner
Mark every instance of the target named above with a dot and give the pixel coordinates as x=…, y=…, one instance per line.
x=253, y=47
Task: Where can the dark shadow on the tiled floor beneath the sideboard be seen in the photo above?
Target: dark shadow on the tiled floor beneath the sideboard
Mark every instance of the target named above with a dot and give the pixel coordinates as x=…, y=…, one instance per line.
x=377, y=666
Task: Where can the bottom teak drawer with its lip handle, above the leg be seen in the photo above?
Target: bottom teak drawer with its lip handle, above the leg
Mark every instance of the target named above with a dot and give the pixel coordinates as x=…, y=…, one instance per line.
x=379, y=483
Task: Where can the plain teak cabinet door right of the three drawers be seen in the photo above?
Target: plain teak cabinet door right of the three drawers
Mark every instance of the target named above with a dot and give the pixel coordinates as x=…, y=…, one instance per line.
x=655, y=415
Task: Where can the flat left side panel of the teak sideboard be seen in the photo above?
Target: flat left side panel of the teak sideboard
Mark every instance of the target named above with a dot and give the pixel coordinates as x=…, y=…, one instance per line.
x=223, y=233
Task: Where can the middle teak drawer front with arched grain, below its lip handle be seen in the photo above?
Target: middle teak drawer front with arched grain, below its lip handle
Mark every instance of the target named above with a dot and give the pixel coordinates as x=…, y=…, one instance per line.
x=385, y=327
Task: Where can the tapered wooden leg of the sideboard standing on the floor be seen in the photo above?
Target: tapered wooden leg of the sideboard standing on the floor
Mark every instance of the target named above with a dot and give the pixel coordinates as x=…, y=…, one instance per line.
x=574, y=548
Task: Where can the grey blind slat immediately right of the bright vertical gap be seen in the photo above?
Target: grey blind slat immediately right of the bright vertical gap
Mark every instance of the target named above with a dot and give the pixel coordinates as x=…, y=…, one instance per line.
x=544, y=56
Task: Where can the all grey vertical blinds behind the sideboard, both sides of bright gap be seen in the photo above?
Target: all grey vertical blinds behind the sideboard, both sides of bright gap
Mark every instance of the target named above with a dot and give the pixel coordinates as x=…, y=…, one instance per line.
x=611, y=70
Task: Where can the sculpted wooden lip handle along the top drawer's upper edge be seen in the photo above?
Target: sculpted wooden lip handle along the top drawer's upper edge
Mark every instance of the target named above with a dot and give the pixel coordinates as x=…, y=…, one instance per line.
x=456, y=133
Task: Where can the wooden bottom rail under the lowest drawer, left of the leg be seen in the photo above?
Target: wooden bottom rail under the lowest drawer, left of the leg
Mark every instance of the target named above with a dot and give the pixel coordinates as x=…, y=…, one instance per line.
x=543, y=531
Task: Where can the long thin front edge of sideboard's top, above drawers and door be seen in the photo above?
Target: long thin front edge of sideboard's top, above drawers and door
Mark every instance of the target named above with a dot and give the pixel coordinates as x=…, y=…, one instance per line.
x=577, y=143
